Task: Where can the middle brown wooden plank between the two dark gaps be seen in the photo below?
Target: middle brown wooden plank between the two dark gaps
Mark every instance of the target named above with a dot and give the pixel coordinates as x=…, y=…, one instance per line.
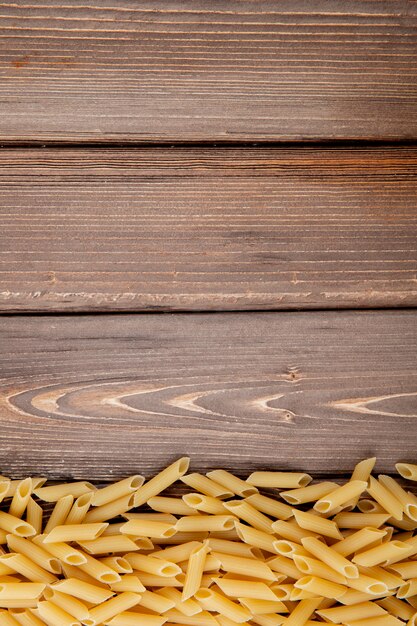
x=214, y=229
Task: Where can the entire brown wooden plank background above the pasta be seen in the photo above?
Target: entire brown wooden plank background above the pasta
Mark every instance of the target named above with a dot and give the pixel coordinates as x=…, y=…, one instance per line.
x=208, y=235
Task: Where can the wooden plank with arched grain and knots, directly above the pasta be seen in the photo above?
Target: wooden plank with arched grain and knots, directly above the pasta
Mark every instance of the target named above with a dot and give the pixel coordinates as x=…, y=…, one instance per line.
x=102, y=396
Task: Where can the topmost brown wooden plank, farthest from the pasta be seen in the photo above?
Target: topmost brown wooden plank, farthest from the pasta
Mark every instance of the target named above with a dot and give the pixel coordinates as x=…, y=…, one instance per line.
x=217, y=71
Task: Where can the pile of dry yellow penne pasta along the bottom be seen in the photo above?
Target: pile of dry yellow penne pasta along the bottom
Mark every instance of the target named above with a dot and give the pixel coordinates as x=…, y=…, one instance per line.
x=297, y=554
